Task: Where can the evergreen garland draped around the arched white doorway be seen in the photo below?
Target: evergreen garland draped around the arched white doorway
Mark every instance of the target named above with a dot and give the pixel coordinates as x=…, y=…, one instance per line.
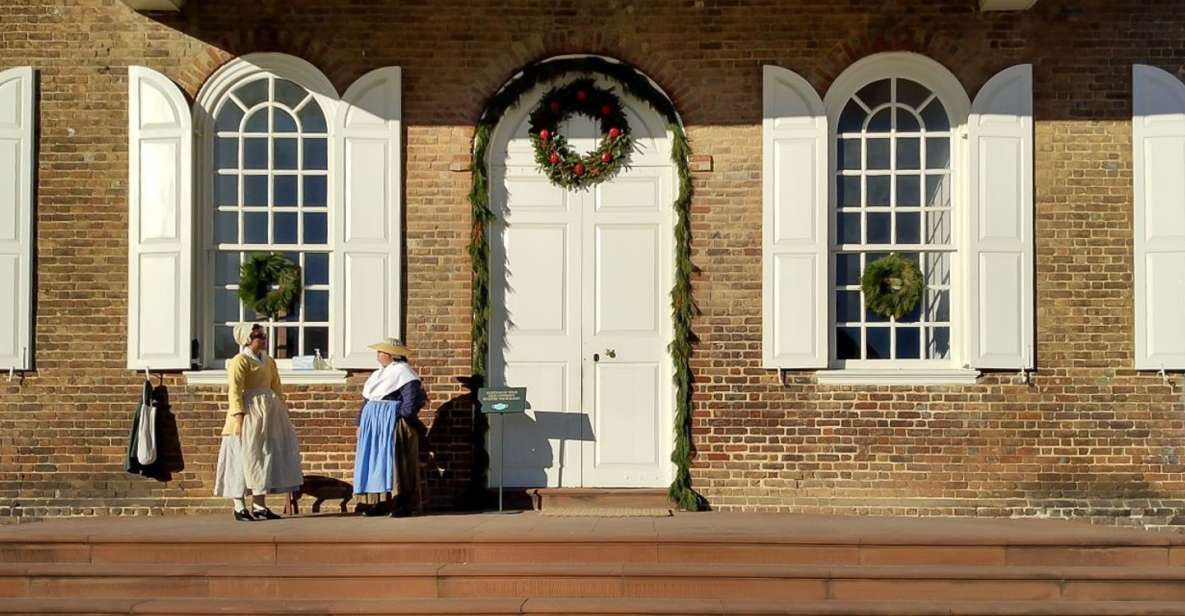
x=683, y=305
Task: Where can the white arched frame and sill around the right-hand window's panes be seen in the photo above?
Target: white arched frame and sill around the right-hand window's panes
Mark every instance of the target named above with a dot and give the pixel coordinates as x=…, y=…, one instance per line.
x=940, y=81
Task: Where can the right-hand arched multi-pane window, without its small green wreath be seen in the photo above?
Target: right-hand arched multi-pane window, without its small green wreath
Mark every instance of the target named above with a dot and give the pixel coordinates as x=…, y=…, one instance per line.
x=895, y=119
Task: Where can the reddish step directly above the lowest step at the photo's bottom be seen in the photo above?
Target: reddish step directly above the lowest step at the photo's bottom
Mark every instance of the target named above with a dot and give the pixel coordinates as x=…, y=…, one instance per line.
x=597, y=581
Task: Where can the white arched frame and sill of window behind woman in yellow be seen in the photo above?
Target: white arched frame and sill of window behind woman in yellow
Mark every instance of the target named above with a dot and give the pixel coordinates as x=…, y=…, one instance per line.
x=225, y=81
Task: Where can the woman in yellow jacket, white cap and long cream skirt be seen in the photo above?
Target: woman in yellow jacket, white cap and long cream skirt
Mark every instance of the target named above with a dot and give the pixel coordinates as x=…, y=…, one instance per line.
x=260, y=454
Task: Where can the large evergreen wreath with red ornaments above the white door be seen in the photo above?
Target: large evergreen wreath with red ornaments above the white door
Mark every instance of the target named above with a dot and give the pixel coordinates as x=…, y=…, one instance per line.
x=565, y=168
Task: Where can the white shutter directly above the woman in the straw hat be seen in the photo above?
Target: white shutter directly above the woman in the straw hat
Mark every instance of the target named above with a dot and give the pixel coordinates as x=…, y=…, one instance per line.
x=368, y=219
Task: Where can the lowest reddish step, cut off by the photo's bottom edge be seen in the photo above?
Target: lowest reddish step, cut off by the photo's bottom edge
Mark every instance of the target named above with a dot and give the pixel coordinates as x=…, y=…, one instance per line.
x=552, y=607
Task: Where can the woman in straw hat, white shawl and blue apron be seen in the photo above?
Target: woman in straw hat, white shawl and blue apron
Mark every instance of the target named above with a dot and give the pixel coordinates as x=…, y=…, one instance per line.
x=388, y=454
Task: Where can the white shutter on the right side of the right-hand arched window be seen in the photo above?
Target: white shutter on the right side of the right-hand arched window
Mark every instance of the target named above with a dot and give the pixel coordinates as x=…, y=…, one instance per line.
x=1001, y=256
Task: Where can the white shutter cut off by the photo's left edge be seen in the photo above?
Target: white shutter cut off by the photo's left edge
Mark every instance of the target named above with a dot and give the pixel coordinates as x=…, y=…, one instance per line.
x=17, y=121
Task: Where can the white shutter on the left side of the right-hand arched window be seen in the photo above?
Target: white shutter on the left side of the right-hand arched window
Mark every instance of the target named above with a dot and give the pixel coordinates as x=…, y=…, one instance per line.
x=795, y=223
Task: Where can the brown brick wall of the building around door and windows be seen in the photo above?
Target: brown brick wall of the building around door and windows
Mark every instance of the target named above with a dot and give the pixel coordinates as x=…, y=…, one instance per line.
x=1090, y=439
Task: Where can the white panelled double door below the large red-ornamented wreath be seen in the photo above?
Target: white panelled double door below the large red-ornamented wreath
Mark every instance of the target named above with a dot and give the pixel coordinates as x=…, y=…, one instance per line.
x=581, y=319
